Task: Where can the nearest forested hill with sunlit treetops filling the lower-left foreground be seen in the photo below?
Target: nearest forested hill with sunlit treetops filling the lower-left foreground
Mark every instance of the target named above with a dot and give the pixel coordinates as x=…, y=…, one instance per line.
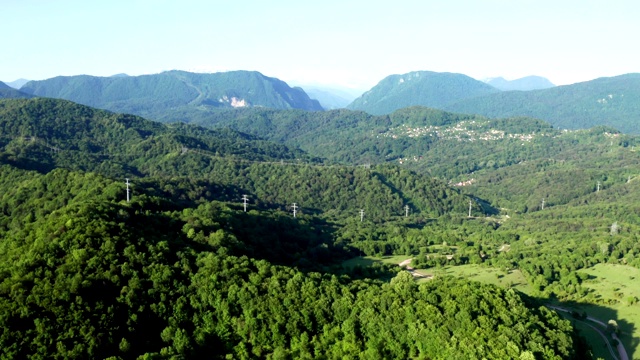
x=102, y=278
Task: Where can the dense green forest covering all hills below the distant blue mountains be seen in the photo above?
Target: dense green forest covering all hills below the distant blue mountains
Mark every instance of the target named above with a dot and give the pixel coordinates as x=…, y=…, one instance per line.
x=182, y=270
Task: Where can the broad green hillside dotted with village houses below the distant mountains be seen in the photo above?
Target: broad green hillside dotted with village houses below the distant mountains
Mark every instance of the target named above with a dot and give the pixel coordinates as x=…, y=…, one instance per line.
x=512, y=163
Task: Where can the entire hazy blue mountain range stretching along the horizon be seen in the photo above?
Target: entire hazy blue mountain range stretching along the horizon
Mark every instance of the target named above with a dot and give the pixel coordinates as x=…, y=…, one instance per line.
x=191, y=97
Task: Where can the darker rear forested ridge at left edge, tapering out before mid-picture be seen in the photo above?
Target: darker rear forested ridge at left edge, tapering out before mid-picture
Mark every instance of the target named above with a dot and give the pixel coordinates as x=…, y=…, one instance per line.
x=59, y=133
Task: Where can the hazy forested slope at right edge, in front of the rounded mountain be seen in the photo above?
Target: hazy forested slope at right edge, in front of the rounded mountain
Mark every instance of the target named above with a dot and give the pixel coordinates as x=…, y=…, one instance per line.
x=610, y=101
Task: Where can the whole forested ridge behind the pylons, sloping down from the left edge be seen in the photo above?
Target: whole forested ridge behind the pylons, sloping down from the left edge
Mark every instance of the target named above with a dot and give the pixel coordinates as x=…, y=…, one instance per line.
x=44, y=134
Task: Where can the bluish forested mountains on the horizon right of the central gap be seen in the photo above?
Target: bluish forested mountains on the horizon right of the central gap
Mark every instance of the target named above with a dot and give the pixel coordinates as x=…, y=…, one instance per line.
x=611, y=101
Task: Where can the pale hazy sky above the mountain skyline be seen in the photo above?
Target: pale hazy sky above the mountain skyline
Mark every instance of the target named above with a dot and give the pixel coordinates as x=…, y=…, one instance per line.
x=348, y=43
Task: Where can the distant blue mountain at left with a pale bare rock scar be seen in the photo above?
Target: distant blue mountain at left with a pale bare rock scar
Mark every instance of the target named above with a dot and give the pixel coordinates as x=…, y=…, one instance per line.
x=153, y=95
